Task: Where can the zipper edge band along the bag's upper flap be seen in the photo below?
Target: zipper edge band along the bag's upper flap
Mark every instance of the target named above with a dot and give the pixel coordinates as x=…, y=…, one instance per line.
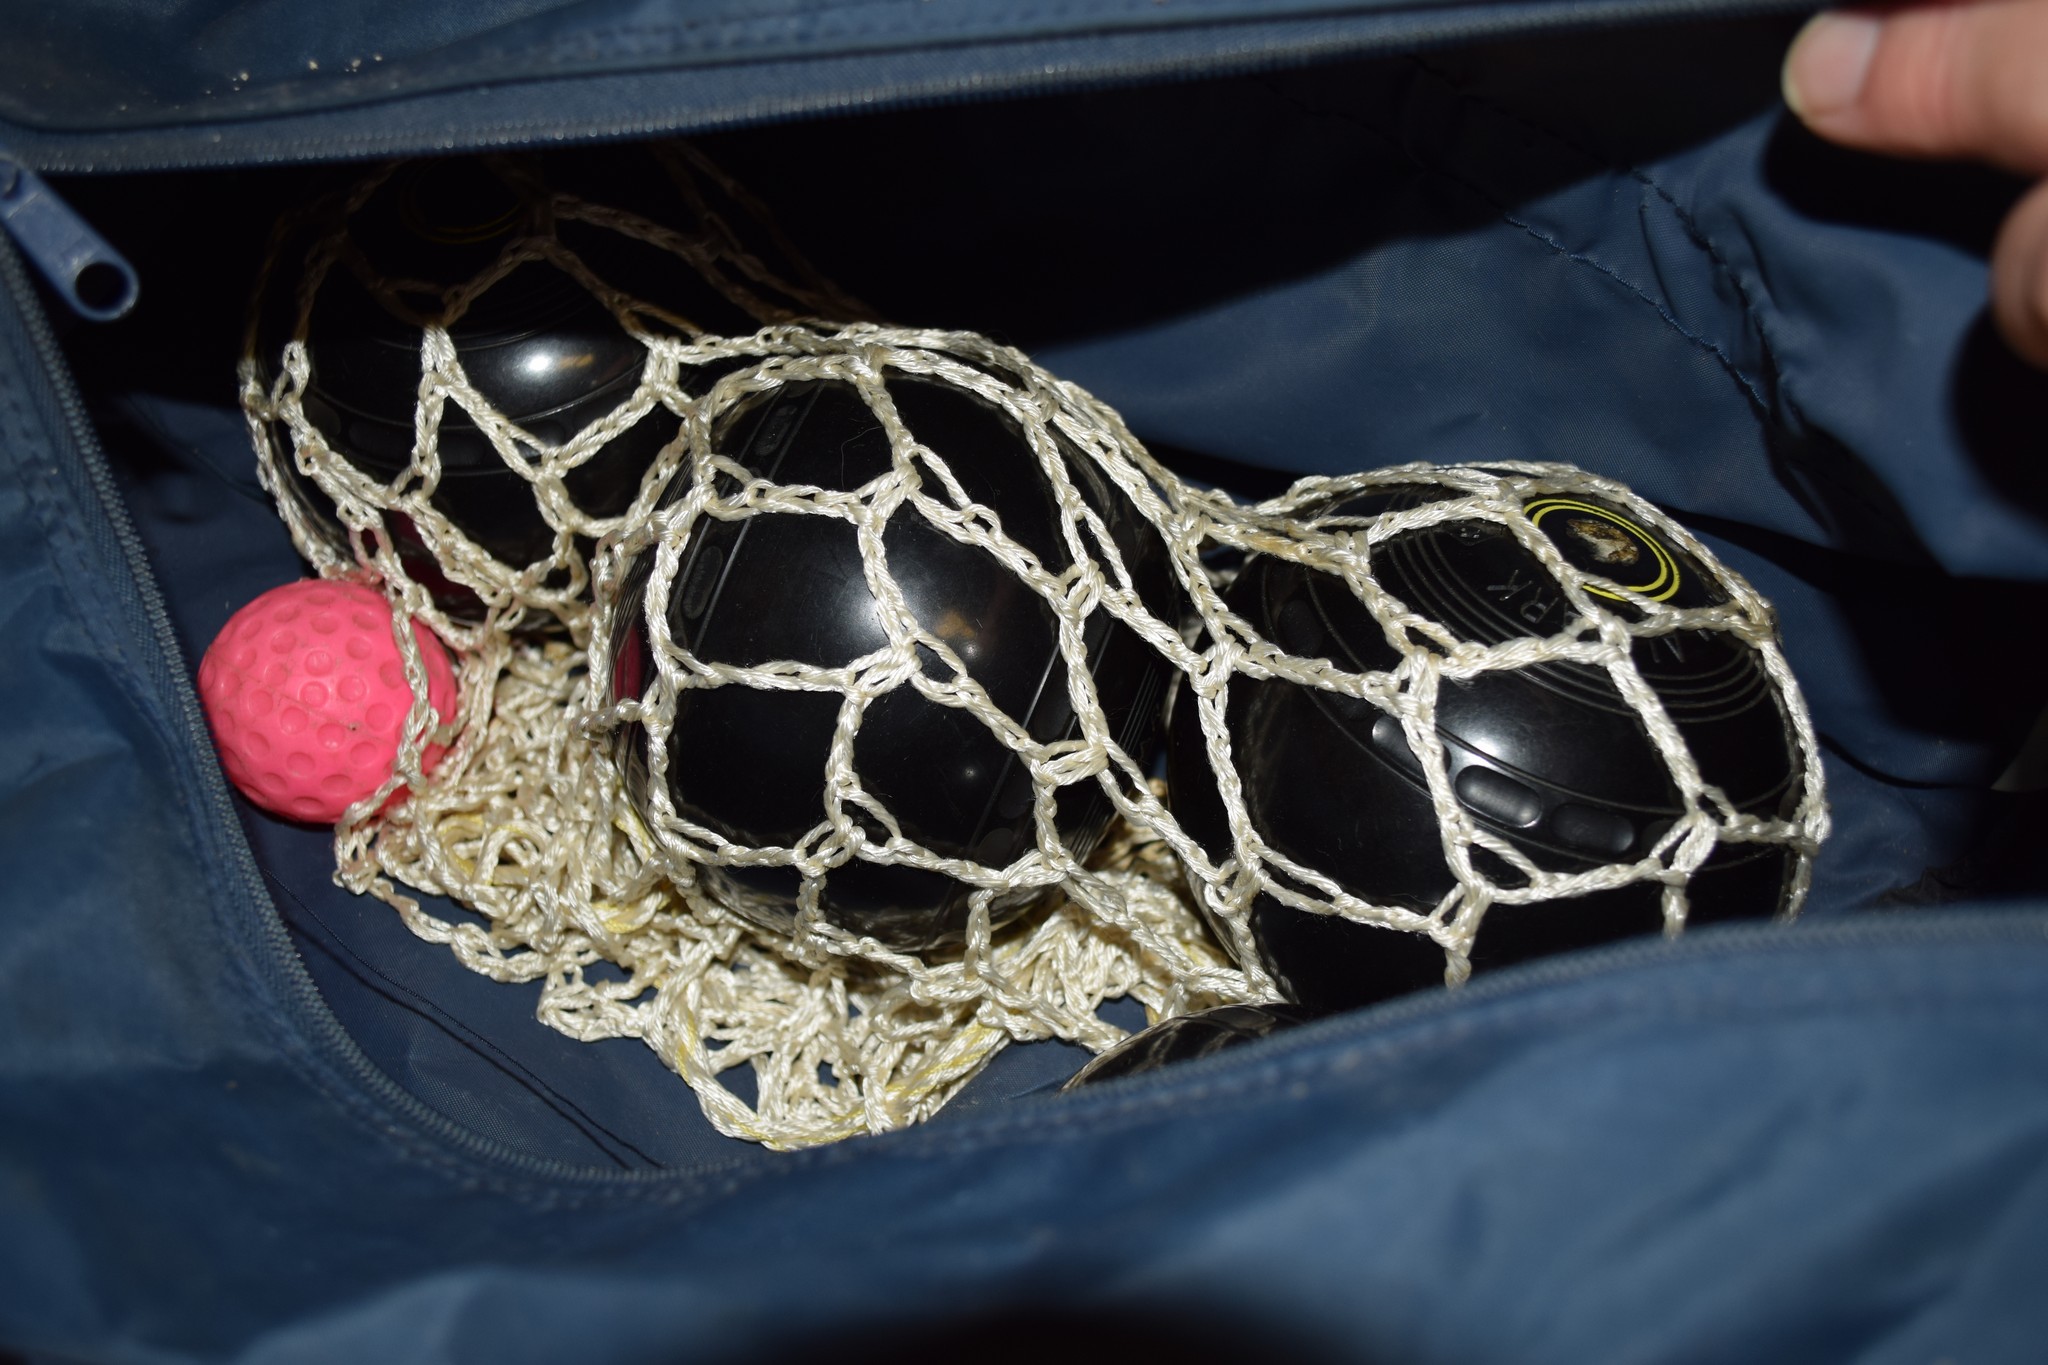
x=497, y=116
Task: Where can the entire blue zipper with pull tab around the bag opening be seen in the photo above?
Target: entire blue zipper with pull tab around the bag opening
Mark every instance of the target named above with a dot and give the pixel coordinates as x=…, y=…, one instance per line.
x=71, y=255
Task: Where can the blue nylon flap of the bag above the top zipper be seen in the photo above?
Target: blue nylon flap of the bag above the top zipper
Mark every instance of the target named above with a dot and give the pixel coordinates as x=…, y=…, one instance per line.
x=161, y=71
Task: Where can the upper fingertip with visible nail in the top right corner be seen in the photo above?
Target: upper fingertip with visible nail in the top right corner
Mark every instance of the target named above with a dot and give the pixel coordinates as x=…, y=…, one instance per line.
x=1940, y=81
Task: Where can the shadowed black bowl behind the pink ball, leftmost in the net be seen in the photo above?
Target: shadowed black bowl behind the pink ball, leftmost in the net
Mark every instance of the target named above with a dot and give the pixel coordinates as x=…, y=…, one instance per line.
x=540, y=347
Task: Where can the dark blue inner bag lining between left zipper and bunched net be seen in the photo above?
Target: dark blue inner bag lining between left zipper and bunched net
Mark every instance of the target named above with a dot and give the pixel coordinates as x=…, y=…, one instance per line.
x=464, y=1045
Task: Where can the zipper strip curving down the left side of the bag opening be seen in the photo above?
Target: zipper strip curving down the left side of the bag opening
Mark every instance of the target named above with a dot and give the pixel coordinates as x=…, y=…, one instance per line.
x=275, y=955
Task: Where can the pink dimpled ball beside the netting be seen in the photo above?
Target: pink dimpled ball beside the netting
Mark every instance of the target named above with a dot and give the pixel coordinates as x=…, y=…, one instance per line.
x=306, y=695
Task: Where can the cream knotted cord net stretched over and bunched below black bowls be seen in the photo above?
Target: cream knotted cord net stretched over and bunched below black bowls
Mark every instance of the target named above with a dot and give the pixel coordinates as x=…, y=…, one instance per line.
x=527, y=826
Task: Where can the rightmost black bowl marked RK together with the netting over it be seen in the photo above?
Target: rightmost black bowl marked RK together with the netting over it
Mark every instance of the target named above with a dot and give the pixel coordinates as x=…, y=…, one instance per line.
x=1508, y=695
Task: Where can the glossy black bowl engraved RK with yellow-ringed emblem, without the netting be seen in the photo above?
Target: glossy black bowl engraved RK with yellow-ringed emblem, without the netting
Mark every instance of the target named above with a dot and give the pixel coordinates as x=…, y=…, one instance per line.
x=1549, y=758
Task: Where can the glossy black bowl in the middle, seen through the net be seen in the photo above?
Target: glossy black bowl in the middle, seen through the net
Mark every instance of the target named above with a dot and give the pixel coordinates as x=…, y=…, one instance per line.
x=751, y=762
